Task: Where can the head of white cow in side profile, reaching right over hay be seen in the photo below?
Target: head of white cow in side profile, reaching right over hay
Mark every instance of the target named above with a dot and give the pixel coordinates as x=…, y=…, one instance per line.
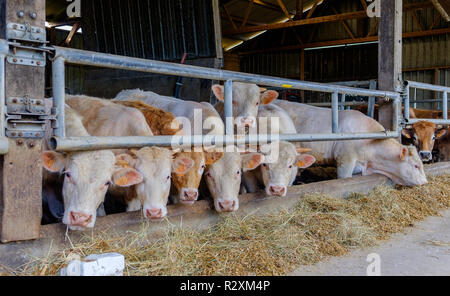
x=400, y=163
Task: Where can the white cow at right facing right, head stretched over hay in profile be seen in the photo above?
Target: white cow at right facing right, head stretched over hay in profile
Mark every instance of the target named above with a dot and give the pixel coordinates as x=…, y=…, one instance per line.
x=387, y=157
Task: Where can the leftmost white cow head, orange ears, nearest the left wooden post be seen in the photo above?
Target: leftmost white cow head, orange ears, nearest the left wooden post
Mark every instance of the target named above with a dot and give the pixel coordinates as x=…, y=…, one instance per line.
x=87, y=178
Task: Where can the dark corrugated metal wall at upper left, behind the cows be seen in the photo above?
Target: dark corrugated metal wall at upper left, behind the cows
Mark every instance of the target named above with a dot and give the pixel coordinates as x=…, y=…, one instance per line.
x=151, y=29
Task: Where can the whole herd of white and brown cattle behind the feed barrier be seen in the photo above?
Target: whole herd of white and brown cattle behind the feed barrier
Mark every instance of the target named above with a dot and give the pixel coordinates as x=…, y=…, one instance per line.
x=76, y=184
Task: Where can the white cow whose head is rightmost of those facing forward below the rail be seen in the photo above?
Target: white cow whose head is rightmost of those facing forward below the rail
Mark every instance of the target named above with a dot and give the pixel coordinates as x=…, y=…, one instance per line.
x=278, y=174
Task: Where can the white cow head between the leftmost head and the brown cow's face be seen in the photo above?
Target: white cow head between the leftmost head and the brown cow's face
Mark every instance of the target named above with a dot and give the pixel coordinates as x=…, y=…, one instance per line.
x=156, y=166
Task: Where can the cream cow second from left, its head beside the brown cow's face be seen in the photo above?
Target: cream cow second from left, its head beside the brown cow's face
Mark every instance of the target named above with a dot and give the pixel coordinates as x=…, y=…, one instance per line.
x=105, y=118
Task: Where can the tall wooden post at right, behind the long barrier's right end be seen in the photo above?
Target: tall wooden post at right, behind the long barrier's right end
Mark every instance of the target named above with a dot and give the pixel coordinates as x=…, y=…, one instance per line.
x=390, y=55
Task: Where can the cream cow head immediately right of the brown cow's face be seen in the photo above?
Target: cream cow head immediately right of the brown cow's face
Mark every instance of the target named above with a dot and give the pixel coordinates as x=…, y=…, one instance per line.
x=224, y=178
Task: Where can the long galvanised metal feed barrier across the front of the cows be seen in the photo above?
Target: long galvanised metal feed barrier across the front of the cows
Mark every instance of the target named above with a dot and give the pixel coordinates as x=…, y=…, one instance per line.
x=79, y=57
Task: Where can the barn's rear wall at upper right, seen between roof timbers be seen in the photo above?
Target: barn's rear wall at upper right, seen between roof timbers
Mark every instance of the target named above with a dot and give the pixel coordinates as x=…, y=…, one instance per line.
x=359, y=62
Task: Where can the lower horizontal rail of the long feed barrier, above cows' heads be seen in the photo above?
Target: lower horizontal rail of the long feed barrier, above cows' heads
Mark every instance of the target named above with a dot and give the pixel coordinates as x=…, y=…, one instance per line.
x=98, y=143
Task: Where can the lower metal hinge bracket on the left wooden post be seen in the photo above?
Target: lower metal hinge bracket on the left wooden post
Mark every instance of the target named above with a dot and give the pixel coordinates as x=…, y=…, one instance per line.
x=26, y=117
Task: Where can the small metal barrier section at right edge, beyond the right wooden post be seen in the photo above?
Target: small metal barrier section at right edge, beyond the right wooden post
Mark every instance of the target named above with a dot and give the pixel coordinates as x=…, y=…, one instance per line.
x=431, y=87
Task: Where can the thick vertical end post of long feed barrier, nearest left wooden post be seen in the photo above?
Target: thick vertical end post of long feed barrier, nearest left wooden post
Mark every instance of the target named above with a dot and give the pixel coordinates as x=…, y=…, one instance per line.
x=58, y=78
